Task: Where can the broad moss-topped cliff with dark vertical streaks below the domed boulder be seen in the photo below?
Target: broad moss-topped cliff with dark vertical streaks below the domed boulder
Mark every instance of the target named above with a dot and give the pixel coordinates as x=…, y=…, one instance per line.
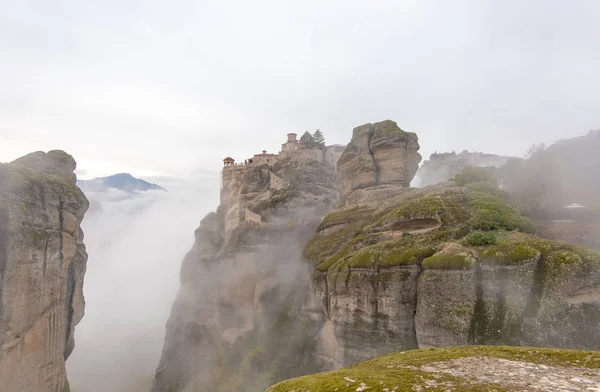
x=450, y=264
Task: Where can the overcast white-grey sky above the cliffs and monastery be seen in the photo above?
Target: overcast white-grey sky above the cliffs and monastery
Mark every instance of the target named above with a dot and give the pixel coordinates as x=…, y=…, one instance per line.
x=156, y=87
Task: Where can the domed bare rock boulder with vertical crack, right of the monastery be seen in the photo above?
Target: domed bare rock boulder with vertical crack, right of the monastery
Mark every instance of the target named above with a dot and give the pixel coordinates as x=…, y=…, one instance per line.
x=379, y=154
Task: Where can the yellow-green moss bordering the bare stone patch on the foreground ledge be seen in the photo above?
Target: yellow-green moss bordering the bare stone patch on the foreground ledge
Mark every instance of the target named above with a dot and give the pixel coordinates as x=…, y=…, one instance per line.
x=401, y=371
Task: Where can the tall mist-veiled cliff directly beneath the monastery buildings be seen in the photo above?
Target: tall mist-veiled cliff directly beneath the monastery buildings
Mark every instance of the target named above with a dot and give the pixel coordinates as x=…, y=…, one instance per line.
x=242, y=318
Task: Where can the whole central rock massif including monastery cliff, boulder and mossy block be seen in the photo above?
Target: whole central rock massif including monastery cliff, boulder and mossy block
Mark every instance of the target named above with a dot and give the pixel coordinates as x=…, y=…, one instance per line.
x=394, y=268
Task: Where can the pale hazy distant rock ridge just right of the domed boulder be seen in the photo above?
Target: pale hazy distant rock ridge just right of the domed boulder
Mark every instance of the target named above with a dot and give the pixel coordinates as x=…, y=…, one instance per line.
x=443, y=166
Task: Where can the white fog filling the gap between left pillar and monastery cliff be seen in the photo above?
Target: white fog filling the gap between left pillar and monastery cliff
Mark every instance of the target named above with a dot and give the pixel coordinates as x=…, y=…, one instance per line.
x=135, y=246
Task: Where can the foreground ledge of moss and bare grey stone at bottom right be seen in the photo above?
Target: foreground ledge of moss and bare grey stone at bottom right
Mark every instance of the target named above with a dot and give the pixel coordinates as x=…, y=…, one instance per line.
x=469, y=368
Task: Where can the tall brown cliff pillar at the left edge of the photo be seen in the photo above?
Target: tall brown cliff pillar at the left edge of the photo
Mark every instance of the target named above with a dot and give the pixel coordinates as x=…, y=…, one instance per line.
x=42, y=263
